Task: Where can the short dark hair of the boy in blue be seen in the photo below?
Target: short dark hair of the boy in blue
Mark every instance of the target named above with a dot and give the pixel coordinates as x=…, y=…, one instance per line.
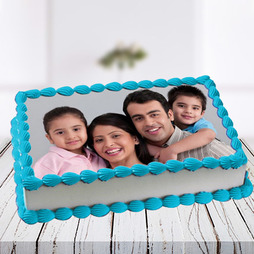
x=187, y=91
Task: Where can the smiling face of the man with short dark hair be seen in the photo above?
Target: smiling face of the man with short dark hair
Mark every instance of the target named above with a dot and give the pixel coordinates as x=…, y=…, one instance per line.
x=151, y=121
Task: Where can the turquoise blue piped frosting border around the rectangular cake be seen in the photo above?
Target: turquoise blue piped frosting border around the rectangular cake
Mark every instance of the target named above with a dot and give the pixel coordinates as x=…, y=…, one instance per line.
x=24, y=174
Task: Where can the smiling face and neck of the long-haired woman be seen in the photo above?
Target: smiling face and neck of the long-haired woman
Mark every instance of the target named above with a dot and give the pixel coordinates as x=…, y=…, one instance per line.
x=115, y=145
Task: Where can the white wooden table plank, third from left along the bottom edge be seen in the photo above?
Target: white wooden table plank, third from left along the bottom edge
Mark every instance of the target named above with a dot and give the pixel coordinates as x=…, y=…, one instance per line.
x=94, y=235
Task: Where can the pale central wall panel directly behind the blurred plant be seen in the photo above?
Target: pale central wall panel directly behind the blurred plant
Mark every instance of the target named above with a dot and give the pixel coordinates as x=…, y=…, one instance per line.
x=83, y=31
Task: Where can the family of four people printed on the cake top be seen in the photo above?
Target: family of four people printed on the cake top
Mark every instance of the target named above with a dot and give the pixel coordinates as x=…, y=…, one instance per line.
x=152, y=128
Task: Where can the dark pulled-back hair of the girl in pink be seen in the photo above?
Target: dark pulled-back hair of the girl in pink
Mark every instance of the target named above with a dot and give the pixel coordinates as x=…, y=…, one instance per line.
x=60, y=111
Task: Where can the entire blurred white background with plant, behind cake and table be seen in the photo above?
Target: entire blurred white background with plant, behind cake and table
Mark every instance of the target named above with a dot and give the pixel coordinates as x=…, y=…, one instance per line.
x=54, y=43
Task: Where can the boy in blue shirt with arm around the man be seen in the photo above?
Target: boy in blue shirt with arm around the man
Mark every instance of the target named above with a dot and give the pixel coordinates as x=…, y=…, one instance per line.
x=188, y=104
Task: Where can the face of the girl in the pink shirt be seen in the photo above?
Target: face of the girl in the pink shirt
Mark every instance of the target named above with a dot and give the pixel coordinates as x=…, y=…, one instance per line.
x=68, y=132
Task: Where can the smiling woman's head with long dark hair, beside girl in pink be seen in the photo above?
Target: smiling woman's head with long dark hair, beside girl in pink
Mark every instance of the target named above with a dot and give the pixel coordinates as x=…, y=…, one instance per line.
x=116, y=140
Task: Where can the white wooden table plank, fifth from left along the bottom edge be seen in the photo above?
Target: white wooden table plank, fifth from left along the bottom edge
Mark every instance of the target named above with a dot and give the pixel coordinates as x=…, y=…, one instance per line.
x=165, y=233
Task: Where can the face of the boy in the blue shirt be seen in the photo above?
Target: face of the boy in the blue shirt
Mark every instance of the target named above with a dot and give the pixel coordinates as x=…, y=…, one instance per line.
x=187, y=110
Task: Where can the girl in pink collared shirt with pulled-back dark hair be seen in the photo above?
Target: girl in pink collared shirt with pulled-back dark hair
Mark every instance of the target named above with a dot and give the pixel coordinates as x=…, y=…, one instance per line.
x=66, y=130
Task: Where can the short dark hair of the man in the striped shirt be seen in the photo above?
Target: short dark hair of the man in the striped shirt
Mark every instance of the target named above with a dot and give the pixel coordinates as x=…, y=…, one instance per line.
x=143, y=96
